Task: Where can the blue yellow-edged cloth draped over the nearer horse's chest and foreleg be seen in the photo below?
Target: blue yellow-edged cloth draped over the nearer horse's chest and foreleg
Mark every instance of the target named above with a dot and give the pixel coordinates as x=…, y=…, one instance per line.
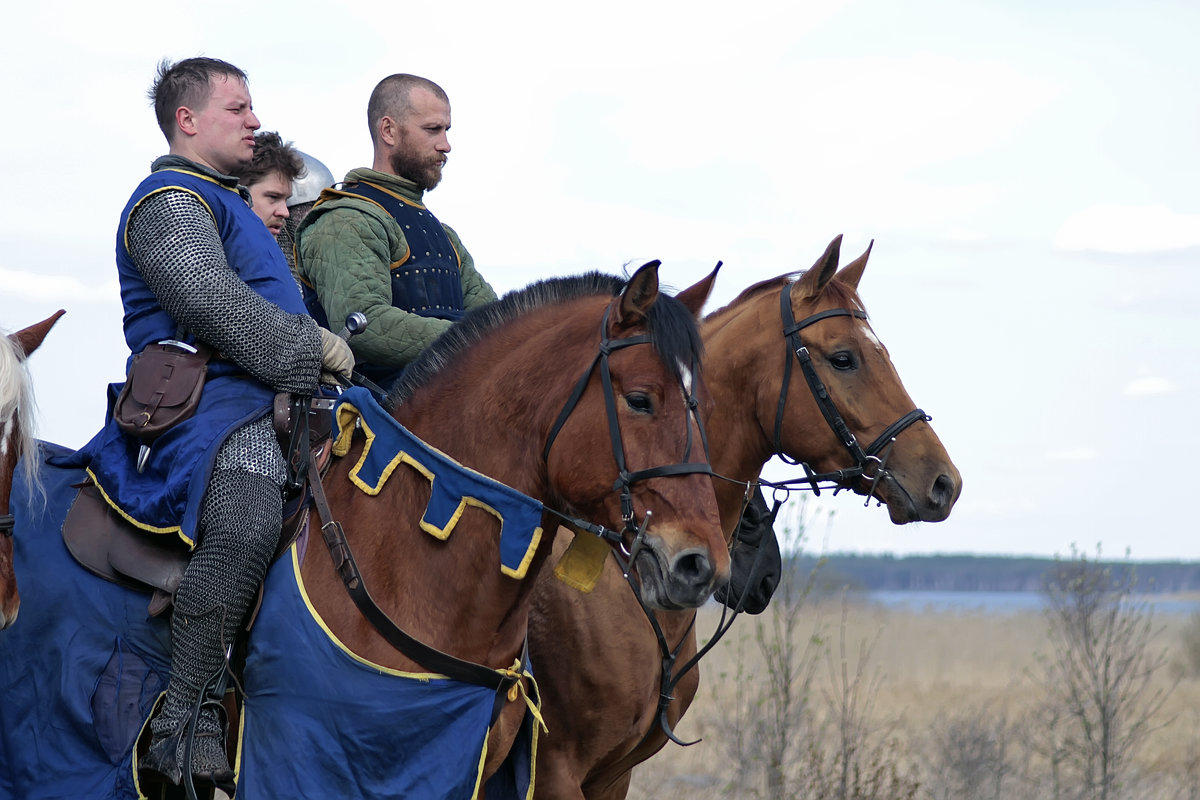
x=363, y=732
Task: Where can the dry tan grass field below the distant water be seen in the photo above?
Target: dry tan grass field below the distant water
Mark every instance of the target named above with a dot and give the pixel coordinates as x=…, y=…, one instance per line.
x=947, y=705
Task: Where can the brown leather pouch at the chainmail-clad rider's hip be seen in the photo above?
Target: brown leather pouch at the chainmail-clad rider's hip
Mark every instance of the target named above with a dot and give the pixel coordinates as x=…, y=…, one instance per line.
x=163, y=389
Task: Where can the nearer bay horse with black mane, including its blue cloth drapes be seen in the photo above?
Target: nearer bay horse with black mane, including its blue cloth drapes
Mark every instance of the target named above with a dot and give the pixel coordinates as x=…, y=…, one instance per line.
x=578, y=395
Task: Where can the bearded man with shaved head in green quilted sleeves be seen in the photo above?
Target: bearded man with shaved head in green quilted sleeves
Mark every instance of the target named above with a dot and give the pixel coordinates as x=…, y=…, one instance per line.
x=374, y=246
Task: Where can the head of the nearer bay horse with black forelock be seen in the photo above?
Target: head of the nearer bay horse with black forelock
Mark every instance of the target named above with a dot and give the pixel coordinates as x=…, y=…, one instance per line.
x=640, y=402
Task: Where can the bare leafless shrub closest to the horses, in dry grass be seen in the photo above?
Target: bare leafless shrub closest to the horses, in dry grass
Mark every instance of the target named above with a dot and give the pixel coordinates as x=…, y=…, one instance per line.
x=790, y=735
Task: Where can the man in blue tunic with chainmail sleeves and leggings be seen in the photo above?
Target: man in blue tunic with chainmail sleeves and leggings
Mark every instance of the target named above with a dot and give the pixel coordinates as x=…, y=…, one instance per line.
x=196, y=266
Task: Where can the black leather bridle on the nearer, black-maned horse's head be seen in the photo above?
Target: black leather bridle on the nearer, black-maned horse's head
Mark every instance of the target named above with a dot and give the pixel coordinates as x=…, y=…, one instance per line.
x=627, y=479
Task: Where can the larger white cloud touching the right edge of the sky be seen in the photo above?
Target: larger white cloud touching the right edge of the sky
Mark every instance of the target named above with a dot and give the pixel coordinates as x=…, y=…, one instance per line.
x=1130, y=230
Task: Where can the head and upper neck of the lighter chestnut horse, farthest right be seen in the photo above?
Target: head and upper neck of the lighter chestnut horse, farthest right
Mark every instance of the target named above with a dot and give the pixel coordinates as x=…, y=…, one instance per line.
x=835, y=400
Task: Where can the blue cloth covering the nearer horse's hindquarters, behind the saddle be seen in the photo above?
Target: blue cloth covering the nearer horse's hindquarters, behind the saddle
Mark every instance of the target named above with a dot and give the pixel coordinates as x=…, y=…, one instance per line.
x=80, y=670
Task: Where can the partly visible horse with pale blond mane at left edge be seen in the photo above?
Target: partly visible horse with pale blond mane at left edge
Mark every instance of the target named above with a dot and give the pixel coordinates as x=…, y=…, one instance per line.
x=16, y=438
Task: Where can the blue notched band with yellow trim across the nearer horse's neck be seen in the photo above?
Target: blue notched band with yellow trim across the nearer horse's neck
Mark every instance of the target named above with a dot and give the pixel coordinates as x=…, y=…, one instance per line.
x=453, y=486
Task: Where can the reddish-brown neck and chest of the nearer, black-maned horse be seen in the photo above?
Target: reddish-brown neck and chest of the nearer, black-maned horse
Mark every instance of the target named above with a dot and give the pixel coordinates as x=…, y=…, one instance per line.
x=490, y=413
